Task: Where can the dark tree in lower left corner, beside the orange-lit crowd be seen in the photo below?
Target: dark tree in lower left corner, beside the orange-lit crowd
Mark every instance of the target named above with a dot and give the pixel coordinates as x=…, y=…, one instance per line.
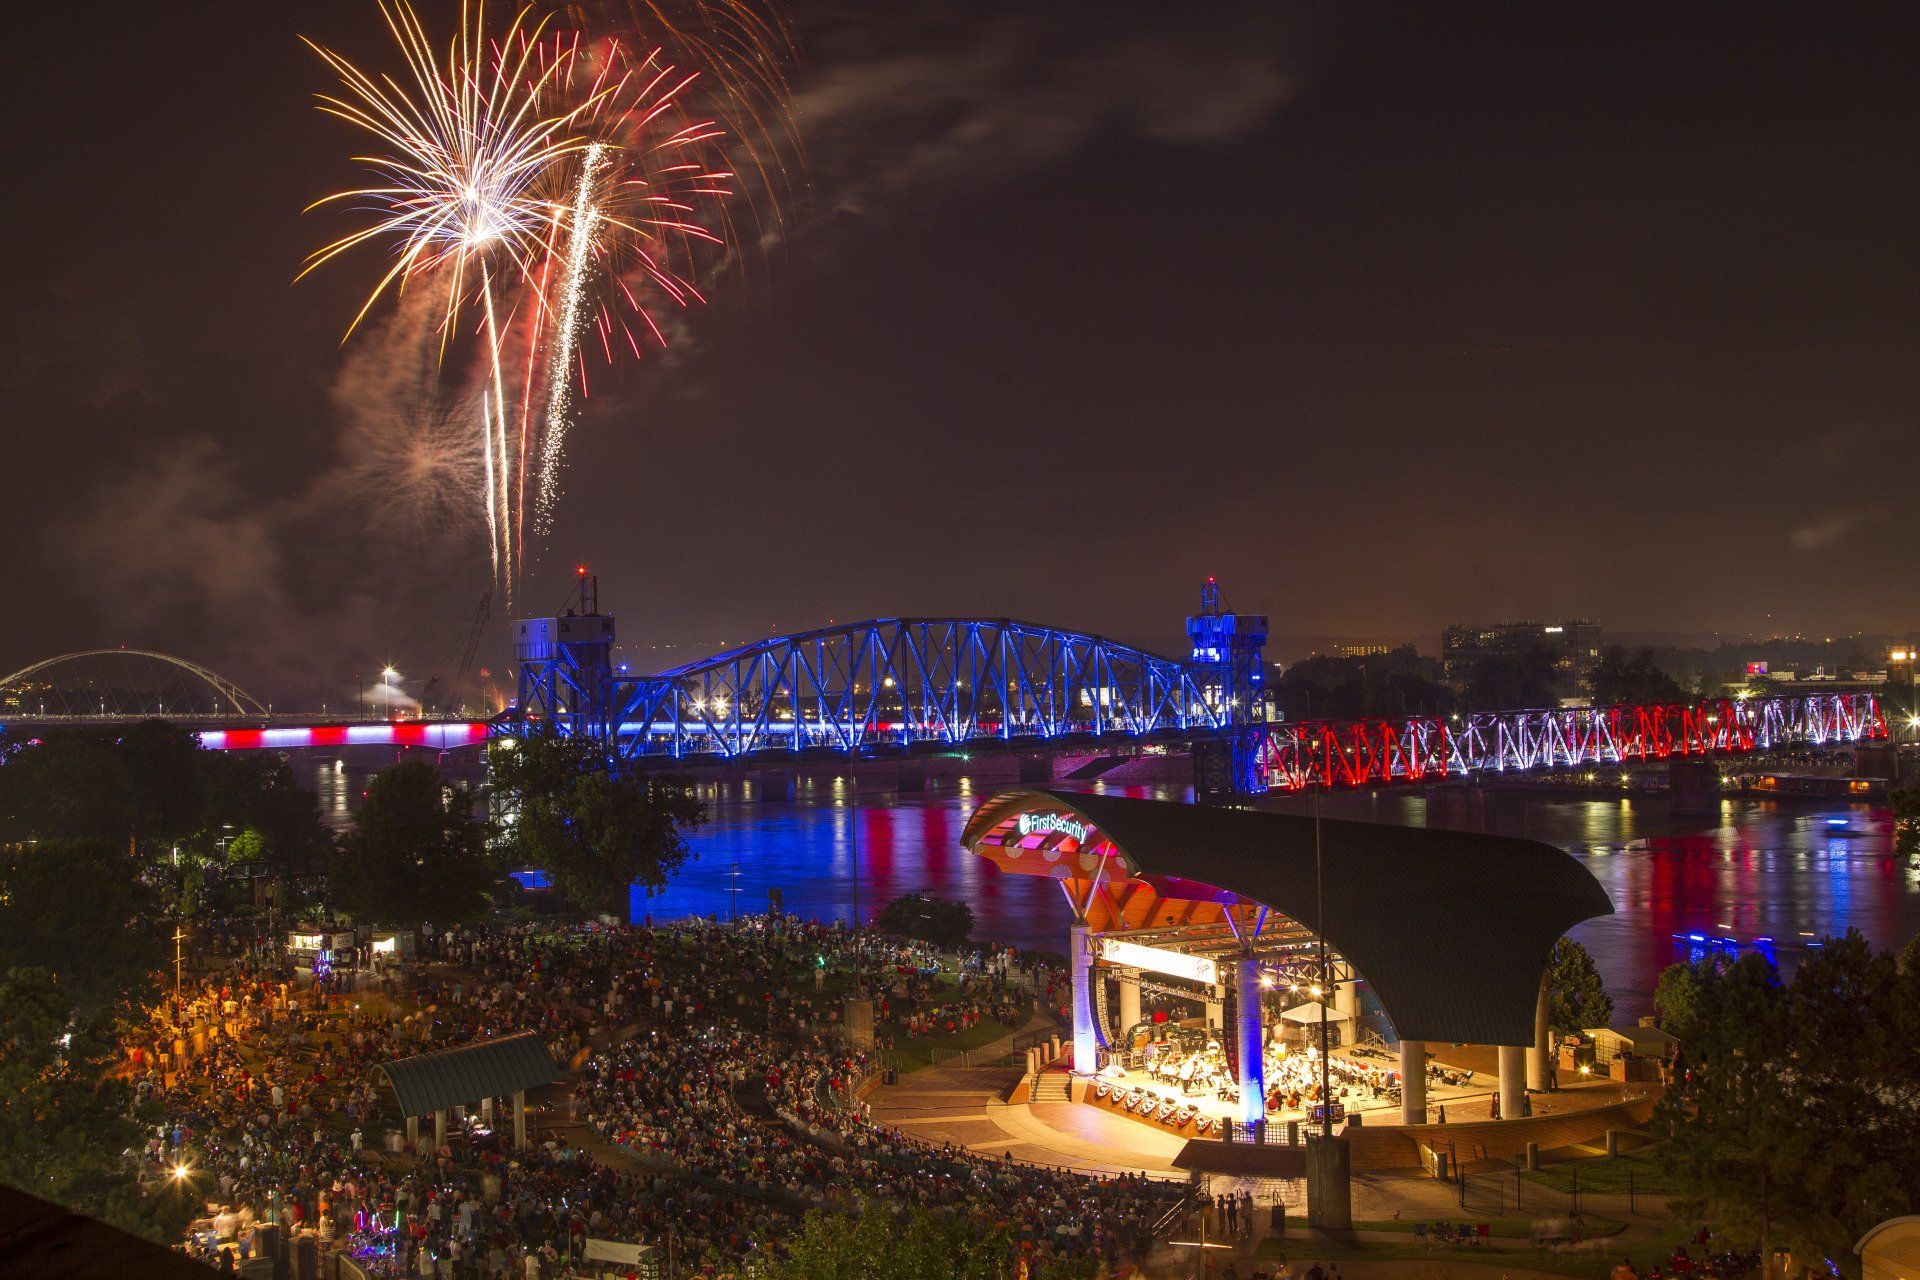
x=64, y=1120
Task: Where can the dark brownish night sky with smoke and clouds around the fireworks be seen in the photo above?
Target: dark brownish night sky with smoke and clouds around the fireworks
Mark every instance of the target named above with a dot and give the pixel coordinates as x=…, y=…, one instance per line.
x=1389, y=316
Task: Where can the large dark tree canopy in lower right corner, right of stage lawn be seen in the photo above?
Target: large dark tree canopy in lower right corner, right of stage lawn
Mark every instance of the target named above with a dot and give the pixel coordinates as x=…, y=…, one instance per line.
x=1798, y=1110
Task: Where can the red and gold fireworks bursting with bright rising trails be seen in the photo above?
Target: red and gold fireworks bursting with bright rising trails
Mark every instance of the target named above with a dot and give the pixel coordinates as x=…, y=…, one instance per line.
x=552, y=189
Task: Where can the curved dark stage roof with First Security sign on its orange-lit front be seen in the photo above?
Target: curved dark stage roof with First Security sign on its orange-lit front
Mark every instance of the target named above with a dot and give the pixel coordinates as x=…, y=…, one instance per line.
x=1451, y=930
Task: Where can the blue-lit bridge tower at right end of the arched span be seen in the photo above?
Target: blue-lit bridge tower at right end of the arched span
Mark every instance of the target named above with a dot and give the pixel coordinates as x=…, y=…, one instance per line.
x=1230, y=653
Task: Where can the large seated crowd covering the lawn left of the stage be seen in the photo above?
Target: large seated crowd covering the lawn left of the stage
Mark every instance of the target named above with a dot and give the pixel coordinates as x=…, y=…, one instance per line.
x=708, y=1055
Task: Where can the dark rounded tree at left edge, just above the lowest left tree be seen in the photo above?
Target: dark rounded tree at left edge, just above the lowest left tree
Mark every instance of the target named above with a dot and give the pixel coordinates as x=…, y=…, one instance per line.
x=84, y=913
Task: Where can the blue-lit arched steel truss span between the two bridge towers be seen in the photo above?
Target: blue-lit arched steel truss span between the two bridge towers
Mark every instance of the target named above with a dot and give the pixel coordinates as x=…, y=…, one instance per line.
x=898, y=684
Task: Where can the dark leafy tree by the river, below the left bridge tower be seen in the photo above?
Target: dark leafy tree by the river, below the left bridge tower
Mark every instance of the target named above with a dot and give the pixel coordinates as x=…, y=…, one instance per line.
x=598, y=828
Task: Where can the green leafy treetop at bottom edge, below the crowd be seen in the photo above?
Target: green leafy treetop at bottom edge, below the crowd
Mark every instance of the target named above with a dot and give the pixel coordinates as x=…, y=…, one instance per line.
x=919, y=1244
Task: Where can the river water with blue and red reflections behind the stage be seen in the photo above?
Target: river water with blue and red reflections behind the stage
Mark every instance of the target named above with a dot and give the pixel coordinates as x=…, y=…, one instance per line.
x=1764, y=870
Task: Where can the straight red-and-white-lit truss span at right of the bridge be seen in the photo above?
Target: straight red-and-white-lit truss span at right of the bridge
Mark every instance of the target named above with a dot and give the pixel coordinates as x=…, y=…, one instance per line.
x=1372, y=753
